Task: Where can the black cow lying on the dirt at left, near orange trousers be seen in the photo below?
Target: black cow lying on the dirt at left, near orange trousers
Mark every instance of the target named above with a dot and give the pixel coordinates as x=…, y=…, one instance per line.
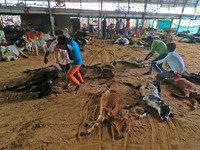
x=40, y=82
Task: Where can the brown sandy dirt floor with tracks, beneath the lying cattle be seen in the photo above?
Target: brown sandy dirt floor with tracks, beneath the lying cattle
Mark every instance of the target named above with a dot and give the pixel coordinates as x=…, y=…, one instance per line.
x=55, y=122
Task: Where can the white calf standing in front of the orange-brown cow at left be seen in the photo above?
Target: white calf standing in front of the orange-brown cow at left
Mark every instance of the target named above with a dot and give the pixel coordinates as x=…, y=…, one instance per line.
x=31, y=46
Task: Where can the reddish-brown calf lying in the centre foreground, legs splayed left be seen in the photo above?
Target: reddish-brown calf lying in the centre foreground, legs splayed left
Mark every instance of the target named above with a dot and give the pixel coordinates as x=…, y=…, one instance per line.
x=110, y=108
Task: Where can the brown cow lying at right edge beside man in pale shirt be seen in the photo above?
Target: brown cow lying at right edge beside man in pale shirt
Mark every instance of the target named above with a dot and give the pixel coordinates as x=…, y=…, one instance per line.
x=188, y=88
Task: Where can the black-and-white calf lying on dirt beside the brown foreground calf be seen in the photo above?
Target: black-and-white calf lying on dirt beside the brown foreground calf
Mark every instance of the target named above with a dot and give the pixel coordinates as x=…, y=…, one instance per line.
x=151, y=96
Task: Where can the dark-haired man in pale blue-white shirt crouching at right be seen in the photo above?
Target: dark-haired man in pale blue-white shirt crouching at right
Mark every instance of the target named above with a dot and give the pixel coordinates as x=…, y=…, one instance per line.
x=175, y=62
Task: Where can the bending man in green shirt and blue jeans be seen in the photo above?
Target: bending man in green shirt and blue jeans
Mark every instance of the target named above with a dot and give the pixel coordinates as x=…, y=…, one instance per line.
x=159, y=47
